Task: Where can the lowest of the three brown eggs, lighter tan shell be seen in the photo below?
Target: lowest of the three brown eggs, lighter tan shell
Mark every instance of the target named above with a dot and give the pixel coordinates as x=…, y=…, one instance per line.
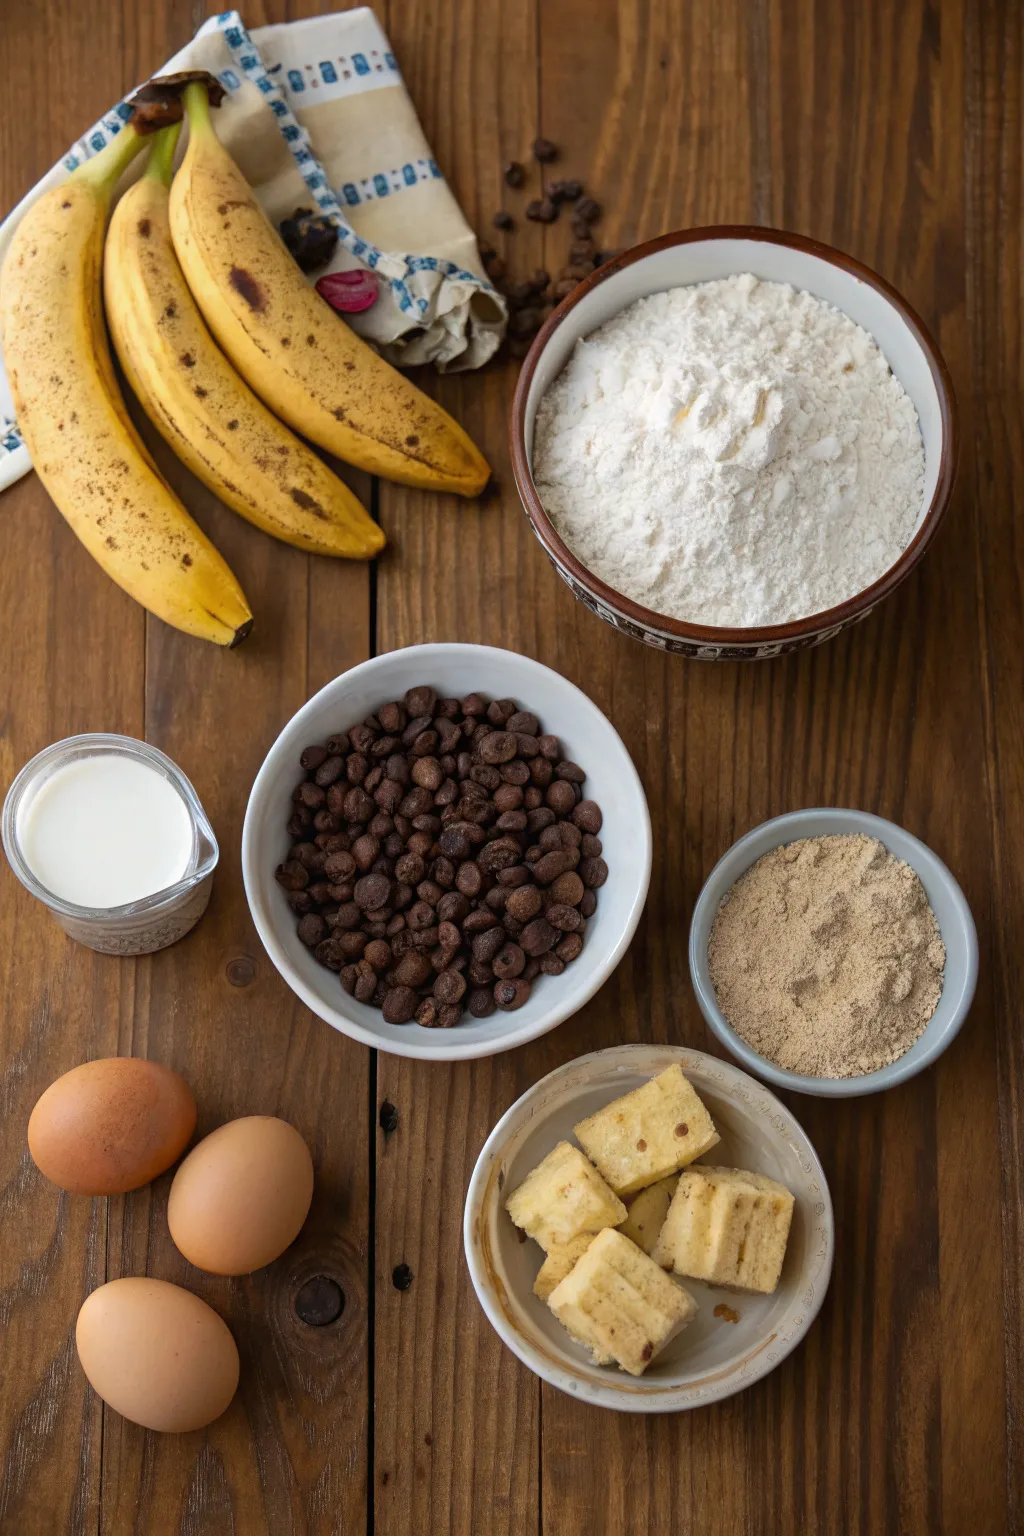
x=157, y=1354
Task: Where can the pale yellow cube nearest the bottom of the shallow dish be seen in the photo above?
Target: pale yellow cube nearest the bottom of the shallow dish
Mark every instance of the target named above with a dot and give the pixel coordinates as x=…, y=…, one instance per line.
x=621, y=1305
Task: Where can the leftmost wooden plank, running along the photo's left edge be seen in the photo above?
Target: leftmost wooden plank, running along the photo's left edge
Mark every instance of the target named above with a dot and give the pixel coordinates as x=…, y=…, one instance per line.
x=73, y=661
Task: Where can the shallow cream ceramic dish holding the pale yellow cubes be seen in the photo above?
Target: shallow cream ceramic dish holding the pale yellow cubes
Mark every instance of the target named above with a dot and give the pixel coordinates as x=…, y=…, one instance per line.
x=713, y=1357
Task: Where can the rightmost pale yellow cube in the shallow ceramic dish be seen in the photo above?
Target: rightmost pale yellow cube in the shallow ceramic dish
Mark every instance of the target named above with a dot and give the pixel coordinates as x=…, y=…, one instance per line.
x=727, y=1226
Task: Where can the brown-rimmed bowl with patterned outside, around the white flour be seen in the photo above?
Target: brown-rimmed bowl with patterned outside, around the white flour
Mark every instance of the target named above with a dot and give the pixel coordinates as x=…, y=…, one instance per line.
x=699, y=256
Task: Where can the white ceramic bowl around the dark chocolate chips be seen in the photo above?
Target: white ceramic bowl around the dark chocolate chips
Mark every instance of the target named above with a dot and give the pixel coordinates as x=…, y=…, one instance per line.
x=589, y=740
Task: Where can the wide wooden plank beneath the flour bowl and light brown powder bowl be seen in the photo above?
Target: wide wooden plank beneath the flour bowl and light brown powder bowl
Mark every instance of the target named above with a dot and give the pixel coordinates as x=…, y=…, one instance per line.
x=836, y=137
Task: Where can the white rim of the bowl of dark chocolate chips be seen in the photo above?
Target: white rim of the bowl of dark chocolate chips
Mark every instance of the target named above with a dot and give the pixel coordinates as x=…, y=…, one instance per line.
x=446, y=1048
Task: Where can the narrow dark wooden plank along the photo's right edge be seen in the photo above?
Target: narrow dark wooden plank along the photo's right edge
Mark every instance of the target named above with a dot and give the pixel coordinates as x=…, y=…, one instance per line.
x=994, y=168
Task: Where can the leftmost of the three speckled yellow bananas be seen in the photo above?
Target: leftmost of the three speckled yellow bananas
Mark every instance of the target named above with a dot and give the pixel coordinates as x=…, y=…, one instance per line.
x=76, y=425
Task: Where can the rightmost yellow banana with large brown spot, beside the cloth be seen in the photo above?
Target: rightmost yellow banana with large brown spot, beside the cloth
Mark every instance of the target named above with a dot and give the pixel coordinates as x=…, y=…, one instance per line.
x=289, y=345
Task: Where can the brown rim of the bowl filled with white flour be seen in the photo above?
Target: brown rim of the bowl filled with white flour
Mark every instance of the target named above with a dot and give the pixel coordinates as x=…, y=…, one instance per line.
x=710, y=635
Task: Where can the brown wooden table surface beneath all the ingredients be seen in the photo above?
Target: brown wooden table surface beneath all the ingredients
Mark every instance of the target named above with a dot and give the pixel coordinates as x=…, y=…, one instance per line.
x=894, y=133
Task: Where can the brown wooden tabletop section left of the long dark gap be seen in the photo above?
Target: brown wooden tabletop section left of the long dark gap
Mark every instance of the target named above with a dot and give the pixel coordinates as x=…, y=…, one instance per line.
x=291, y=1455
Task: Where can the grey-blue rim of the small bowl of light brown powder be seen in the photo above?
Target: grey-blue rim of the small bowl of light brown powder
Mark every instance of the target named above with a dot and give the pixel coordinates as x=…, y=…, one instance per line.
x=899, y=1071
